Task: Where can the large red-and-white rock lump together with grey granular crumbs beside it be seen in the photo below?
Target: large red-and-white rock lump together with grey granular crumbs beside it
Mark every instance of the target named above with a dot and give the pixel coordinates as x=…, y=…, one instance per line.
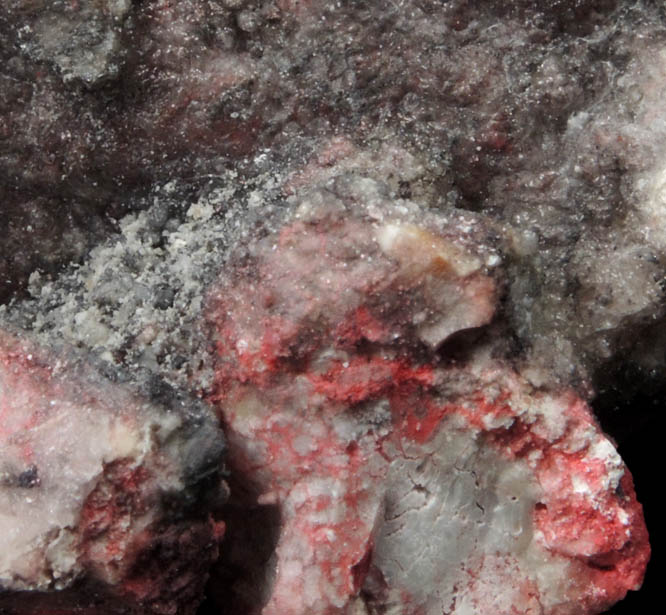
x=348, y=354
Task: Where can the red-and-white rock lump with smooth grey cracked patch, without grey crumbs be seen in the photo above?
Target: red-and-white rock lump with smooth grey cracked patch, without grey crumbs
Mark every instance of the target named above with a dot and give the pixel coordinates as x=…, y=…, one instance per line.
x=409, y=481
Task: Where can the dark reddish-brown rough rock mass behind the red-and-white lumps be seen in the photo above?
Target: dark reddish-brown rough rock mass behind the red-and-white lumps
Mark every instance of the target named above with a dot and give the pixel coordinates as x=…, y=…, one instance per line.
x=544, y=116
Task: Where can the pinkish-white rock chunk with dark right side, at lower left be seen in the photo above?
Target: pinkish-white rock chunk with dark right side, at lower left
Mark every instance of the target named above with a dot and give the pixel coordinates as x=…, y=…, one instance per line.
x=107, y=489
